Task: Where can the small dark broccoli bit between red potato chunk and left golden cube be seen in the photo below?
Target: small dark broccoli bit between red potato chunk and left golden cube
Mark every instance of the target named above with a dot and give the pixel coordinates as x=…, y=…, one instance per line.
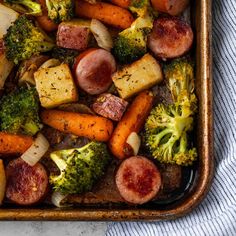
x=65, y=55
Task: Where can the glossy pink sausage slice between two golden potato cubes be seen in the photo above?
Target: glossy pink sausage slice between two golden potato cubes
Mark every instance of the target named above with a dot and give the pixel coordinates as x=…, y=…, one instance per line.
x=93, y=70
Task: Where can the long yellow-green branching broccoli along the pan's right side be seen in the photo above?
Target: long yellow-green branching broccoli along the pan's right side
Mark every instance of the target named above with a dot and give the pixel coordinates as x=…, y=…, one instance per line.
x=168, y=126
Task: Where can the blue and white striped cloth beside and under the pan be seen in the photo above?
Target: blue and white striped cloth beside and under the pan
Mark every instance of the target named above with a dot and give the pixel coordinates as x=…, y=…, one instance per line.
x=216, y=216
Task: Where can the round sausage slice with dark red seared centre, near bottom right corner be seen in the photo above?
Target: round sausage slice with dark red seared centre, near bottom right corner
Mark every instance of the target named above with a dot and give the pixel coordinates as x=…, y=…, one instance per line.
x=138, y=180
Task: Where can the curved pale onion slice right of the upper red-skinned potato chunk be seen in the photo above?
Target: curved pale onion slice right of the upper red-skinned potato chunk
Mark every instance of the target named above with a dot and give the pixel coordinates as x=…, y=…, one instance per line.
x=101, y=34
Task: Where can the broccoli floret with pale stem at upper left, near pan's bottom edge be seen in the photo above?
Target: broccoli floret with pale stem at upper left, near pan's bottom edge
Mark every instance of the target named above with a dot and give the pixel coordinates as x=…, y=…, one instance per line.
x=80, y=168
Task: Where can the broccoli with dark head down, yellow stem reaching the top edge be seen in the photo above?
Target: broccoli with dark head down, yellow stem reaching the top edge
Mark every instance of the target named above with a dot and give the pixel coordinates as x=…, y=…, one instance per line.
x=131, y=43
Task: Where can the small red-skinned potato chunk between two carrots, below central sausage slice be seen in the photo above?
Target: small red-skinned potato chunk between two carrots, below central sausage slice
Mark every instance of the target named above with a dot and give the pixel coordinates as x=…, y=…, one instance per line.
x=110, y=106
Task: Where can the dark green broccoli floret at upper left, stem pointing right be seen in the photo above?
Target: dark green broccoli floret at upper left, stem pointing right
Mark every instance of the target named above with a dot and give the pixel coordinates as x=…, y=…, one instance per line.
x=23, y=40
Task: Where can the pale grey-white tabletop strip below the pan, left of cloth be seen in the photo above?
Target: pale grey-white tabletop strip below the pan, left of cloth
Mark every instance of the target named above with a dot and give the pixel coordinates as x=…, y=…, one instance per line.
x=18, y=228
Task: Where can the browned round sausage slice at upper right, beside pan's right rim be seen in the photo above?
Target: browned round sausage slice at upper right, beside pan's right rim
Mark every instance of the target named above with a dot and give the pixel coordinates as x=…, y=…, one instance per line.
x=171, y=37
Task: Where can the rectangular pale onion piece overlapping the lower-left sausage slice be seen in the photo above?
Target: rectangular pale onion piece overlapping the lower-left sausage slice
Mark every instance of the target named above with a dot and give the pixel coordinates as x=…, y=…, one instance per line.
x=36, y=150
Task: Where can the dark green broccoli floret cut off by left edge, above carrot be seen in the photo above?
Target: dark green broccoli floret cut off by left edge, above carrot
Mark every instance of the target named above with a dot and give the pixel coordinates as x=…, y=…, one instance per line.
x=19, y=112
